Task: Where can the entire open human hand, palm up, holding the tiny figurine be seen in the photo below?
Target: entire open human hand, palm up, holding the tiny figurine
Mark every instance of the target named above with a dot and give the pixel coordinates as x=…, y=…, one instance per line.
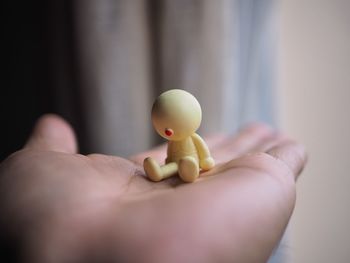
x=60, y=206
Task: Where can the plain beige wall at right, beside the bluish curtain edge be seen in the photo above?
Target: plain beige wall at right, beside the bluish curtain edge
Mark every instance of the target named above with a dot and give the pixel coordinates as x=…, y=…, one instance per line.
x=315, y=91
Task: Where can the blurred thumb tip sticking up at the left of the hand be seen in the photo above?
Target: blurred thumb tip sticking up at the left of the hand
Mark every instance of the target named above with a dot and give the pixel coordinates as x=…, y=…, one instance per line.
x=52, y=133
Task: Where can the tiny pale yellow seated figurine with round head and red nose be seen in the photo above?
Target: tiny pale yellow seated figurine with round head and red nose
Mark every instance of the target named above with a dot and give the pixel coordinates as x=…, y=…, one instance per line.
x=176, y=115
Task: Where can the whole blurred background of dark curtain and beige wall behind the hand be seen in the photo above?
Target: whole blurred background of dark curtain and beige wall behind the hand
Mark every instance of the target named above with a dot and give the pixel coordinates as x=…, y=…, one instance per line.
x=100, y=64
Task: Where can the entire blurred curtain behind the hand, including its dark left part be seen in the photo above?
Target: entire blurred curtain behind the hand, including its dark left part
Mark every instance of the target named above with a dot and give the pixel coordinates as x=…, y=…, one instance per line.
x=101, y=63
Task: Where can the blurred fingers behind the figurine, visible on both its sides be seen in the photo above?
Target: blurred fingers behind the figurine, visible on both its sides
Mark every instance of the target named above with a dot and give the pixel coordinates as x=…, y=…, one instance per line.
x=253, y=138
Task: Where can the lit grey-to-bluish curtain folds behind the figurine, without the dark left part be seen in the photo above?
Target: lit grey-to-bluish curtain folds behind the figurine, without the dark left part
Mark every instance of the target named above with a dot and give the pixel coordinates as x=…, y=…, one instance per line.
x=128, y=52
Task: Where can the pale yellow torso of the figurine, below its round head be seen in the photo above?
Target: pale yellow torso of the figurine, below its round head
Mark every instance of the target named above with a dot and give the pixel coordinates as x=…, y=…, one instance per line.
x=180, y=149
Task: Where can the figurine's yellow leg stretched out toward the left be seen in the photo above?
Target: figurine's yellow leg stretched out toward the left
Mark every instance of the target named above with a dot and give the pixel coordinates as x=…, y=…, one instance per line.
x=155, y=172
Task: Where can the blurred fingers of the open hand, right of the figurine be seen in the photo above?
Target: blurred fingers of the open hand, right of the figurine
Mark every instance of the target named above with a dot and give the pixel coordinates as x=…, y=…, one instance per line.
x=256, y=145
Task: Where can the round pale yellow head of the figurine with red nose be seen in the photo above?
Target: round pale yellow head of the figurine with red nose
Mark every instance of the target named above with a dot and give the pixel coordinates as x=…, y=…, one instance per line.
x=176, y=114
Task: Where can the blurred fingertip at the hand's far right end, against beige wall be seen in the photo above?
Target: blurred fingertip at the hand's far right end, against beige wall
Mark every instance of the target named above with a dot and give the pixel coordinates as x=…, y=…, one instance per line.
x=292, y=154
